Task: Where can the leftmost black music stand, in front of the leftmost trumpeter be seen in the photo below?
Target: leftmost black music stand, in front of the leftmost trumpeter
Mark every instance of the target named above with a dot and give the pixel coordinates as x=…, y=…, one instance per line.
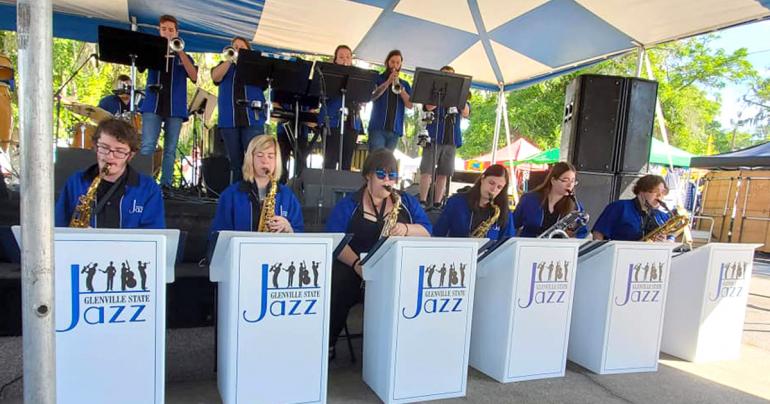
x=131, y=48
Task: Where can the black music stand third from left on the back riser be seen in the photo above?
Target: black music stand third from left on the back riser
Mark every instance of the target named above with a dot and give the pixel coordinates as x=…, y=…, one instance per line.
x=354, y=84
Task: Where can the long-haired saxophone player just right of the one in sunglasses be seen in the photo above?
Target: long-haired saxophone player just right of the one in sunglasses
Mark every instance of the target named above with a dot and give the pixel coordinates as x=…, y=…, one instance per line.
x=467, y=211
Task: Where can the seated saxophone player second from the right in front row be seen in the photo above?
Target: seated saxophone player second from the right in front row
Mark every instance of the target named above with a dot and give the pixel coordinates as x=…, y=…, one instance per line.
x=541, y=208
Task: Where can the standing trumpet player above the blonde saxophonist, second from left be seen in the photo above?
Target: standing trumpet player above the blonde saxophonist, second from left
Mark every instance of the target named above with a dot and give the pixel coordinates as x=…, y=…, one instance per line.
x=241, y=108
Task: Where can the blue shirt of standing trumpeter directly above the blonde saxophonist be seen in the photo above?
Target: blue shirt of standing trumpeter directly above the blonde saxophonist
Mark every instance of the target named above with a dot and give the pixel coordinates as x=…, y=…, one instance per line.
x=232, y=115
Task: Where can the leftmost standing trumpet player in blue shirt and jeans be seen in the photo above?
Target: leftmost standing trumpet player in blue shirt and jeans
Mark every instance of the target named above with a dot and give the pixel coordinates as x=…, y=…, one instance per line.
x=165, y=100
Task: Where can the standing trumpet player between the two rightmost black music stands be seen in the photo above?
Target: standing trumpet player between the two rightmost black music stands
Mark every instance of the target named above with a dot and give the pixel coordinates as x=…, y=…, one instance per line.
x=390, y=100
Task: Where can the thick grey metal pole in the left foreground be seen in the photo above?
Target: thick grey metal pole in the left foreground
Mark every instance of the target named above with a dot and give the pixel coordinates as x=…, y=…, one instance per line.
x=34, y=27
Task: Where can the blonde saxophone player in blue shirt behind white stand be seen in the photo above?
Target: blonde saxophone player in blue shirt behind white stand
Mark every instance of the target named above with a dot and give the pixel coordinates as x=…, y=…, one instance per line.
x=240, y=204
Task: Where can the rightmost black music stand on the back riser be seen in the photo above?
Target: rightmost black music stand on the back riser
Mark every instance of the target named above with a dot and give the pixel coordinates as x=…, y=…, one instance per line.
x=443, y=90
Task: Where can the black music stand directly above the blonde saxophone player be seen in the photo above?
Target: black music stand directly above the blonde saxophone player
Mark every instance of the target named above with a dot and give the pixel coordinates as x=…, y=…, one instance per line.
x=272, y=74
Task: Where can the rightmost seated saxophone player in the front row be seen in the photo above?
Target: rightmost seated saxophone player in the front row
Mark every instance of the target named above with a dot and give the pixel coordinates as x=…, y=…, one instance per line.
x=631, y=219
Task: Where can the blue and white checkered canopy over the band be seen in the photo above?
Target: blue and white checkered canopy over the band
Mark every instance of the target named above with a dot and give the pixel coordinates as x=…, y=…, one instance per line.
x=508, y=42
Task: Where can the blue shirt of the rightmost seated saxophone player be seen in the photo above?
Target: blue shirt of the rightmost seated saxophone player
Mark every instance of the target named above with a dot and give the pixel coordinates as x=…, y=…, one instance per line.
x=622, y=220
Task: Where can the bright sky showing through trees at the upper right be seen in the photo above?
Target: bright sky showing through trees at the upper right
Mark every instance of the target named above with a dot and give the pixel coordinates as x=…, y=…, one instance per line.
x=754, y=37
